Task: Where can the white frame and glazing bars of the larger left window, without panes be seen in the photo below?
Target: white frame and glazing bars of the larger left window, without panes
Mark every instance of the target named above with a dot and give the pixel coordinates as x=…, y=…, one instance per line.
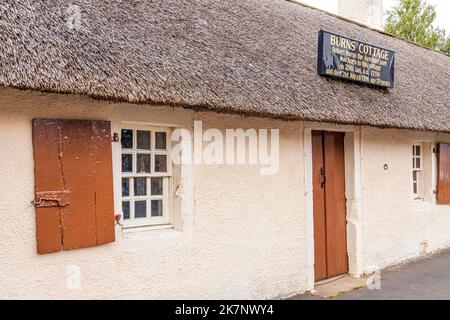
x=149, y=221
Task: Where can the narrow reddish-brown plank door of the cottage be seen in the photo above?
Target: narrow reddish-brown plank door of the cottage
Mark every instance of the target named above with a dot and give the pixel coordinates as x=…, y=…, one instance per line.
x=330, y=240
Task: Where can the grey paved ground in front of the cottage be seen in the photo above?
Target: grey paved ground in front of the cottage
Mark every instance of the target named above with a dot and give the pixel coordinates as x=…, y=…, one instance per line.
x=427, y=278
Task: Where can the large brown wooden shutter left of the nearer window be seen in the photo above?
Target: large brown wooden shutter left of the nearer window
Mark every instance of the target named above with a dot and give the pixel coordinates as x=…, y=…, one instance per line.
x=73, y=184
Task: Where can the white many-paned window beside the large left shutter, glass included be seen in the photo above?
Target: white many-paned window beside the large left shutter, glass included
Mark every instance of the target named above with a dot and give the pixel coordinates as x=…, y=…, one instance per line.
x=146, y=176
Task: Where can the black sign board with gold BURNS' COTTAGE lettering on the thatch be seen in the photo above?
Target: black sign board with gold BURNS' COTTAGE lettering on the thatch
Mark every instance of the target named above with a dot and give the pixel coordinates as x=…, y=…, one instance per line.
x=345, y=58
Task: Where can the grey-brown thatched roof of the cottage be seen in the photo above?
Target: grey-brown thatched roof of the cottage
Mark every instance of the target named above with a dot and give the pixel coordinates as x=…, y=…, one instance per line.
x=252, y=57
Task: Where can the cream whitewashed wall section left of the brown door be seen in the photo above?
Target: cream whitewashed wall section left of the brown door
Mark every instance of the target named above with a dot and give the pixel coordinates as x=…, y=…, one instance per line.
x=245, y=238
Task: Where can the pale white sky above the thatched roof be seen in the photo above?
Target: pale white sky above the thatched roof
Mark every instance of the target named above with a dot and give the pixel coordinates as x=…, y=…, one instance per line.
x=442, y=9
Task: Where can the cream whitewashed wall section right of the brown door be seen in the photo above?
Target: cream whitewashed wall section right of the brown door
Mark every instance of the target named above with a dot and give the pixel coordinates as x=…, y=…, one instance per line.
x=397, y=227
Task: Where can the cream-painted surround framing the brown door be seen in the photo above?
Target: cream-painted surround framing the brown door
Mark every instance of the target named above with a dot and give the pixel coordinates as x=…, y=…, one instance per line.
x=353, y=191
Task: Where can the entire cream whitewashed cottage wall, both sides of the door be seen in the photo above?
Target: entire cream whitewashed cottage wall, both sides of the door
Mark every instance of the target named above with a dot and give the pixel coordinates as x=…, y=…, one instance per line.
x=244, y=235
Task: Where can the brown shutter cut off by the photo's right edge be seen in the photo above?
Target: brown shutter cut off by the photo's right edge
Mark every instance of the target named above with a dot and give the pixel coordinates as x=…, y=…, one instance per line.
x=443, y=189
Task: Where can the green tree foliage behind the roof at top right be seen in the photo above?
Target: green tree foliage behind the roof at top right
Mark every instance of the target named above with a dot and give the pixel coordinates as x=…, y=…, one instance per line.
x=413, y=20
